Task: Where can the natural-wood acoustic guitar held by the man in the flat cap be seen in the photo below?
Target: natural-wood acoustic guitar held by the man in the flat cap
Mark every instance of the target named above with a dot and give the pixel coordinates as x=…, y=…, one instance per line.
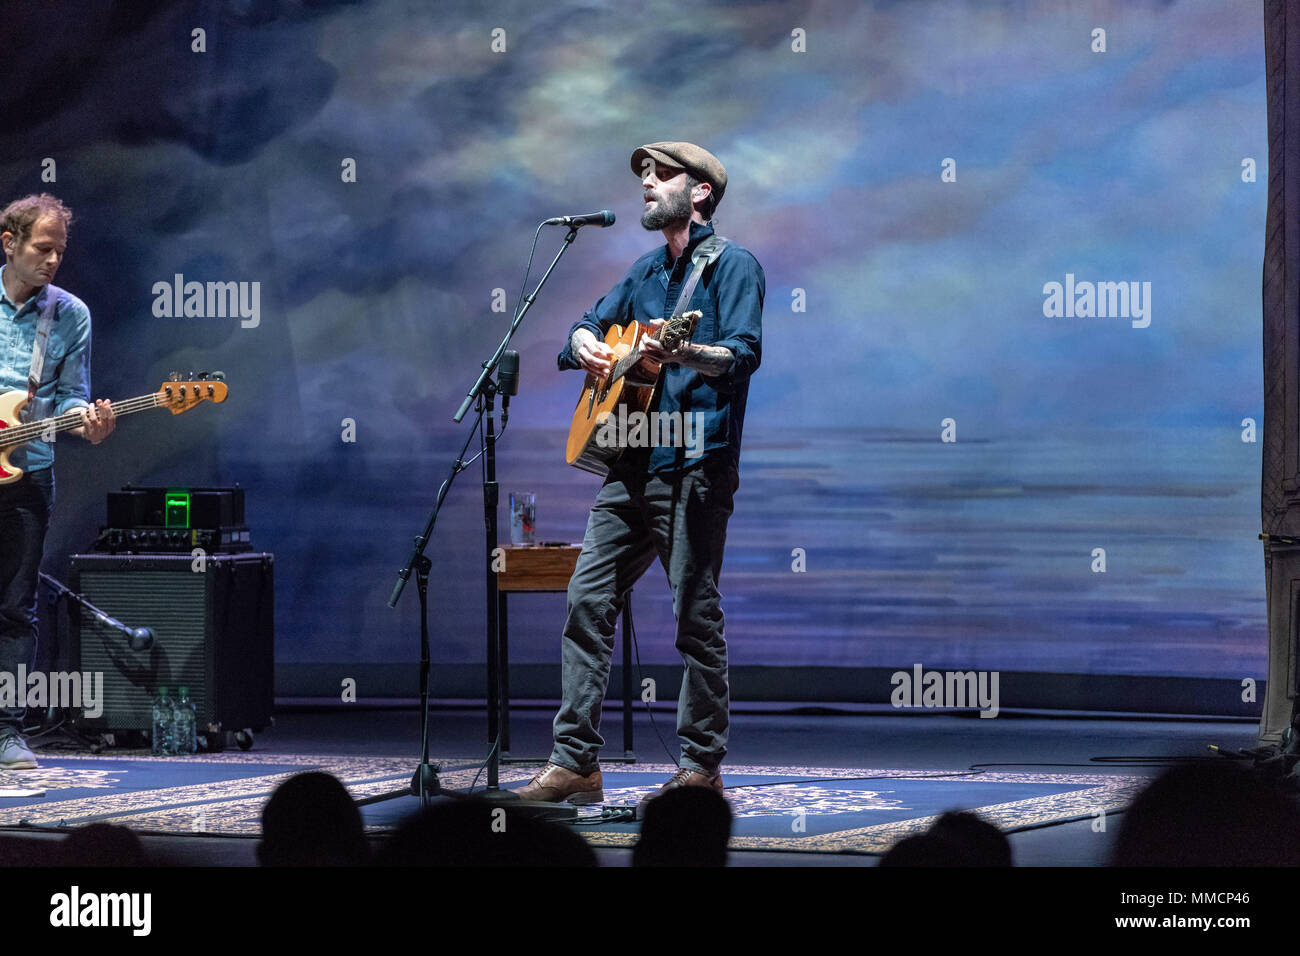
x=631, y=383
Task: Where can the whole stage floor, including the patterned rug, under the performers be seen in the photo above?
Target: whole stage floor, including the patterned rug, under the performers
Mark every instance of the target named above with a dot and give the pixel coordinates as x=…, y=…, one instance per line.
x=809, y=788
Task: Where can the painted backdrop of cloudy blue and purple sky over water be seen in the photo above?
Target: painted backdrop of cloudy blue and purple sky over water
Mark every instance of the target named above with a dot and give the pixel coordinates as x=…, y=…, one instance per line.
x=924, y=301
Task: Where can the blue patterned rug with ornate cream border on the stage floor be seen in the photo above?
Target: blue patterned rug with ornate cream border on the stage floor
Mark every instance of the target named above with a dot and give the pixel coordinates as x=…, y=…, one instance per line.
x=777, y=808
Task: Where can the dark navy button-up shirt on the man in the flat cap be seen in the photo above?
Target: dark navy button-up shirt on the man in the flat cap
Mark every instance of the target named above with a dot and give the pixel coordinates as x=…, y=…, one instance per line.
x=731, y=297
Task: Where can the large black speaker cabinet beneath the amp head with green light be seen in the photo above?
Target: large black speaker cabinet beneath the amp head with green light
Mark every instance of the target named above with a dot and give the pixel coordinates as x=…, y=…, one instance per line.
x=214, y=626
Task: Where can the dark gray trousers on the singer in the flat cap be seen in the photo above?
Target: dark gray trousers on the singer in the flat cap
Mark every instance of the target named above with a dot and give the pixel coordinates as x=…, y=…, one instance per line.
x=636, y=518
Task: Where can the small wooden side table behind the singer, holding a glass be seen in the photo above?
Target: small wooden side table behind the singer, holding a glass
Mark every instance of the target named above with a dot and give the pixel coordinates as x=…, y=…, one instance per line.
x=547, y=570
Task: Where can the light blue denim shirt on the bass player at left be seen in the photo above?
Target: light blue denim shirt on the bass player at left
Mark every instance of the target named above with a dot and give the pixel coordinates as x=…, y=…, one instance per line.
x=66, y=378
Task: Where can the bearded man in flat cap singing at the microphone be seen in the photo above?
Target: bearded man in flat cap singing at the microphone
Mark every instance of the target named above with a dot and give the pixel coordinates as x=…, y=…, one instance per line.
x=657, y=501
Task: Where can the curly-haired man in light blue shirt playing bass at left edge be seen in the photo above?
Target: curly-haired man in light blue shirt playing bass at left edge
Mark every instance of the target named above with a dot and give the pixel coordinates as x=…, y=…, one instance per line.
x=45, y=351
